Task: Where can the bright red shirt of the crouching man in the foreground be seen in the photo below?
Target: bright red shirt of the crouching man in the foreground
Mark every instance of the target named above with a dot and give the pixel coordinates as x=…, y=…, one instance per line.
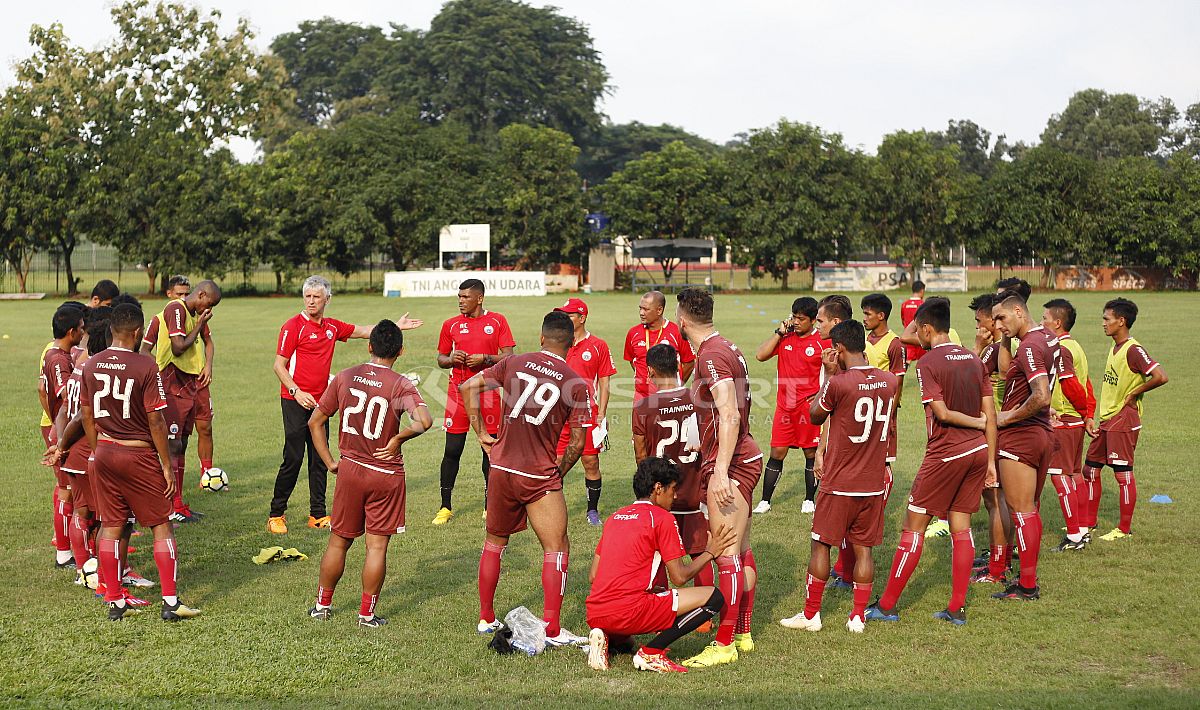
x=635, y=543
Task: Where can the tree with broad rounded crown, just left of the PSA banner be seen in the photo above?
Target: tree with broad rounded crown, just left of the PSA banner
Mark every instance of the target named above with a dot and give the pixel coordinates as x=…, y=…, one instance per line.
x=796, y=196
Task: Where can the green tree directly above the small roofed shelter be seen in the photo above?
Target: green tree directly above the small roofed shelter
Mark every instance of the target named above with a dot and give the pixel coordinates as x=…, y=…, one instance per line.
x=667, y=195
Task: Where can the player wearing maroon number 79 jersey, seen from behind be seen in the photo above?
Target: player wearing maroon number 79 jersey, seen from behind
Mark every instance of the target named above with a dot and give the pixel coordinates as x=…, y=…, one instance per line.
x=542, y=395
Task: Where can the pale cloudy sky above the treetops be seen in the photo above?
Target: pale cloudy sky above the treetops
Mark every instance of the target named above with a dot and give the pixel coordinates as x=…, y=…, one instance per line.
x=721, y=68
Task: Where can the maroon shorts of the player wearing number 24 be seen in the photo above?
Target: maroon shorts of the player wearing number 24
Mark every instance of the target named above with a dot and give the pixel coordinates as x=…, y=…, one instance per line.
x=129, y=484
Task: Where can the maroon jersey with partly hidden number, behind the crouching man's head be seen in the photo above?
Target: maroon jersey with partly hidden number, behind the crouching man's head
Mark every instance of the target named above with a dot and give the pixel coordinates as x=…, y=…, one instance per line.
x=664, y=419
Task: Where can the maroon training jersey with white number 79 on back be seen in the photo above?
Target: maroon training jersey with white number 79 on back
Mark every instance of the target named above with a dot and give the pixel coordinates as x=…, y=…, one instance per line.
x=542, y=395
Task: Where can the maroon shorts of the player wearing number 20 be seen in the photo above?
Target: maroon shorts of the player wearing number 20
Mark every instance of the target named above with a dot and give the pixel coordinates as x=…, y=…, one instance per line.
x=367, y=501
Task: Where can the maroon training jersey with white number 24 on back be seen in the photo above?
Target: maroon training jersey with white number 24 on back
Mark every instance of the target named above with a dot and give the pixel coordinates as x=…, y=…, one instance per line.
x=122, y=388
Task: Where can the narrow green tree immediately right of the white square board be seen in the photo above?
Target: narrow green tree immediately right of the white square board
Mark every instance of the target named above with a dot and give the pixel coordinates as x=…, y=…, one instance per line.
x=541, y=208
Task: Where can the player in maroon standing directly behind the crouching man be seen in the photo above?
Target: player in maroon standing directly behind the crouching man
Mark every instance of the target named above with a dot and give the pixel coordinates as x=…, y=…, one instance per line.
x=664, y=423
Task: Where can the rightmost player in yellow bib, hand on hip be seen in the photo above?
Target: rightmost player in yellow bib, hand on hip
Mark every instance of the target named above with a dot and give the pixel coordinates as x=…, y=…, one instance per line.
x=1129, y=375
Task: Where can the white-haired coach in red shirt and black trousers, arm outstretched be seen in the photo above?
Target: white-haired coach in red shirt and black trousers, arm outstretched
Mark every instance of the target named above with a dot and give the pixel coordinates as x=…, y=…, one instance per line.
x=303, y=360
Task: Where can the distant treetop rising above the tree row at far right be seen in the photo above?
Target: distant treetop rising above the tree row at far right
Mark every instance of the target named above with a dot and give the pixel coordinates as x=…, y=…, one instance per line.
x=1100, y=125
